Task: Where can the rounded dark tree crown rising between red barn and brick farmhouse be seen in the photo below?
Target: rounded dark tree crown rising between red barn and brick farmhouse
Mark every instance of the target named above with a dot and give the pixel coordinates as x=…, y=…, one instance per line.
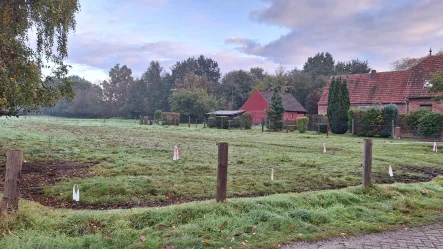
x=320, y=64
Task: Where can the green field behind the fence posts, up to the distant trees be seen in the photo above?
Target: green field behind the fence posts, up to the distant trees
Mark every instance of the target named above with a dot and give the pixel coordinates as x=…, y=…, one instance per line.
x=133, y=163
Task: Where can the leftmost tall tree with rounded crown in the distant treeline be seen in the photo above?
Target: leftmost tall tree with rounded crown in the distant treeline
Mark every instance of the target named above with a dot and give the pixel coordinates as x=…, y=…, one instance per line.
x=115, y=91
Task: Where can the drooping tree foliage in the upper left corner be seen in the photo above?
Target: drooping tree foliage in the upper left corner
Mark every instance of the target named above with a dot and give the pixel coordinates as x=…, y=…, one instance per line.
x=22, y=88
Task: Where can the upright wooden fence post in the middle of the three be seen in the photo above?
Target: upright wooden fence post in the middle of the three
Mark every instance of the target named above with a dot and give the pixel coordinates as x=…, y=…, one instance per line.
x=222, y=172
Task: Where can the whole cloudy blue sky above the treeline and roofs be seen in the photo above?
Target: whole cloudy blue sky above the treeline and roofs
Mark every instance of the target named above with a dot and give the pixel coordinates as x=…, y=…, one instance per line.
x=240, y=34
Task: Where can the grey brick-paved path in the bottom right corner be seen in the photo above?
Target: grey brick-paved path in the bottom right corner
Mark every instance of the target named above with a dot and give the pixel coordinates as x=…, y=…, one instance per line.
x=413, y=238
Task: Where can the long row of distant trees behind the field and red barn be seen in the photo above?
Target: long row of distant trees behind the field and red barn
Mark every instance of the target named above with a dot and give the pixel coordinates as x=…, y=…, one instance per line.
x=195, y=86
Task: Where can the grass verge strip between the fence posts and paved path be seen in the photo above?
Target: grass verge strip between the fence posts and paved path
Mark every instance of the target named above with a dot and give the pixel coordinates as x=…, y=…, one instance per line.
x=263, y=222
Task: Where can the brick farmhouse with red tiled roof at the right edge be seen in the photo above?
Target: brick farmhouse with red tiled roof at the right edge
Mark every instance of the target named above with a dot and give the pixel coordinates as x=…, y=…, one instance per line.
x=407, y=89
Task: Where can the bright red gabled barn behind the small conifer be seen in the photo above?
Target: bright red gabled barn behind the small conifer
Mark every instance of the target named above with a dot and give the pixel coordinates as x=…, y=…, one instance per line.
x=259, y=101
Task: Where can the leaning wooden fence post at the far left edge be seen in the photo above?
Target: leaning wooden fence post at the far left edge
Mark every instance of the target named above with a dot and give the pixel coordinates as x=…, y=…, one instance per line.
x=11, y=193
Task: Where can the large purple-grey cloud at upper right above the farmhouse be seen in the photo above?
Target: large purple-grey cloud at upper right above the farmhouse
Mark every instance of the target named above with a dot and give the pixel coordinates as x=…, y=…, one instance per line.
x=385, y=30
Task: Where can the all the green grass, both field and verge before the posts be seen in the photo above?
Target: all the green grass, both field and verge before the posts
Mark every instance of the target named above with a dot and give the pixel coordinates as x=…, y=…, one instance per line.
x=120, y=162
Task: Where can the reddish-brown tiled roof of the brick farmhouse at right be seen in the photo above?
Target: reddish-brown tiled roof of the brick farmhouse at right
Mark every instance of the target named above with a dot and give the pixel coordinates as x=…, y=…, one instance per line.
x=390, y=87
